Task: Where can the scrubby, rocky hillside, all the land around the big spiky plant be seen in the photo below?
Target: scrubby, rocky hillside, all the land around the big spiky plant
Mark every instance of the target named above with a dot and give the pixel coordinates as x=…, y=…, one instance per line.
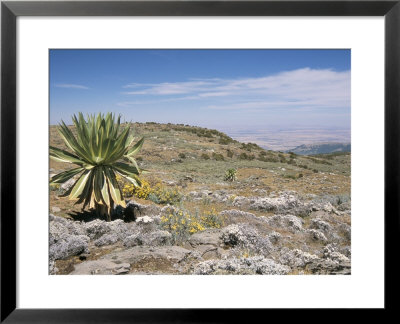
x=213, y=197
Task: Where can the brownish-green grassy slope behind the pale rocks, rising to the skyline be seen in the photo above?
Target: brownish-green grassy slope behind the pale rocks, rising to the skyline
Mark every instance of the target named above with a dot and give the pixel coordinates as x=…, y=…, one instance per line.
x=270, y=171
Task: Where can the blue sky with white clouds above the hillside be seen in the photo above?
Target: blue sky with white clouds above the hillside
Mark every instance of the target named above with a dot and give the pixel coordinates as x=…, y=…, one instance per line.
x=222, y=89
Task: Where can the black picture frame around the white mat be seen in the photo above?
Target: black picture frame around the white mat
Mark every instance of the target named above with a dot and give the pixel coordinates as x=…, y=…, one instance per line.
x=10, y=10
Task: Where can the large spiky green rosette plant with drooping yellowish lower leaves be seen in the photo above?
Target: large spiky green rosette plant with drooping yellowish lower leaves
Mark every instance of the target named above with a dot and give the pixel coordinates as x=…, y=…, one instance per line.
x=101, y=149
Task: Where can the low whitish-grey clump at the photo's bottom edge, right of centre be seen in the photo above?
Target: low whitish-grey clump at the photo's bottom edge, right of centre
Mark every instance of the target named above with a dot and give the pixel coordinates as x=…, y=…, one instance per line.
x=252, y=265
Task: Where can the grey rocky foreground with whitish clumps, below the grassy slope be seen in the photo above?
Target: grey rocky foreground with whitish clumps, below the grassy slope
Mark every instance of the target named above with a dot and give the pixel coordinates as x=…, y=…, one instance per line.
x=278, y=233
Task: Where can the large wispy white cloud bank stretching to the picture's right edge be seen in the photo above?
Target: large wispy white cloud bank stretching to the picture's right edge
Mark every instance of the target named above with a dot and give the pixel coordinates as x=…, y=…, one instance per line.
x=302, y=88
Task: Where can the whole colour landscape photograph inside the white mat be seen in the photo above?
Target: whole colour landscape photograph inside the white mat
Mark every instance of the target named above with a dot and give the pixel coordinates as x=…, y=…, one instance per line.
x=199, y=161
